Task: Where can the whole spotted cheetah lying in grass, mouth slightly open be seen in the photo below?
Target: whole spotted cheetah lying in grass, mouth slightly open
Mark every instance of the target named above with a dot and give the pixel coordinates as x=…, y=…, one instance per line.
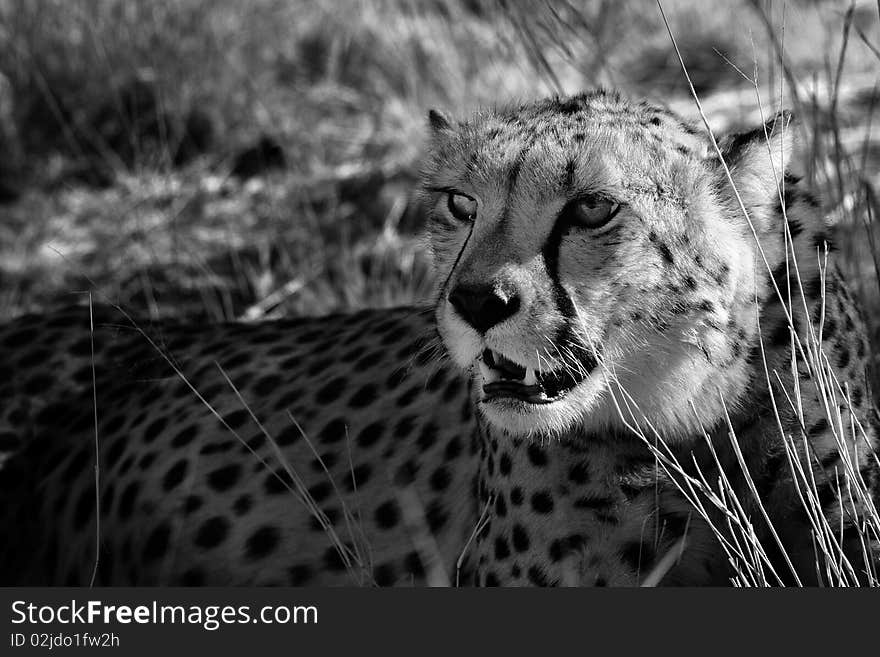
x=624, y=309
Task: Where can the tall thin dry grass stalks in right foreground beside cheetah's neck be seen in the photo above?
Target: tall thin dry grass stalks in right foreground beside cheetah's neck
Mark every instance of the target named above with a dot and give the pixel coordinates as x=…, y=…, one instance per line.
x=730, y=517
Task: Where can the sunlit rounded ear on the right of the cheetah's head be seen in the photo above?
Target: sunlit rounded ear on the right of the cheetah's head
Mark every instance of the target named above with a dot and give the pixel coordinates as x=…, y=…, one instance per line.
x=757, y=159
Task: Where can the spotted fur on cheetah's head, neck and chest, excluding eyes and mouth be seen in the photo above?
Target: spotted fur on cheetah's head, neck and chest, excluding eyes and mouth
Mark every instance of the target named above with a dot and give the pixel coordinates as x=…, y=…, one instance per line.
x=707, y=257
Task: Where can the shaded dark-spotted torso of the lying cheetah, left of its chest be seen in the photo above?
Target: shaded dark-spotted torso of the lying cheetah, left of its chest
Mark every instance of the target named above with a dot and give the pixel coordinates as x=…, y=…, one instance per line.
x=202, y=492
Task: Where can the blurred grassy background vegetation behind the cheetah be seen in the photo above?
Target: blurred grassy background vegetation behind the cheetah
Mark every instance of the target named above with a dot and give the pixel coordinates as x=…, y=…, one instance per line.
x=228, y=159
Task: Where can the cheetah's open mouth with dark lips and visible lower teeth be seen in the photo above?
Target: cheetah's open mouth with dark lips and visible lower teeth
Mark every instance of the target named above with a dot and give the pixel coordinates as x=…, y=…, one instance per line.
x=504, y=379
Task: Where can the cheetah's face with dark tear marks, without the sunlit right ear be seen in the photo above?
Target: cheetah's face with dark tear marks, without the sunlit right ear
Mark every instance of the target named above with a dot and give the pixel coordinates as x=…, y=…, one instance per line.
x=585, y=265
